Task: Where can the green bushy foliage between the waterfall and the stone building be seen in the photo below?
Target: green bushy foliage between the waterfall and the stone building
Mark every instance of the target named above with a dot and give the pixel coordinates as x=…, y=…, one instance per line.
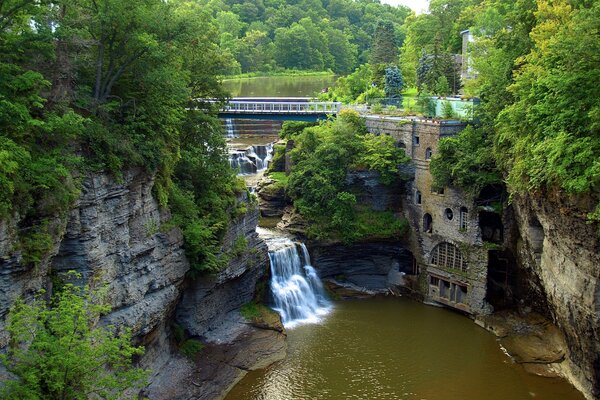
x=322, y=158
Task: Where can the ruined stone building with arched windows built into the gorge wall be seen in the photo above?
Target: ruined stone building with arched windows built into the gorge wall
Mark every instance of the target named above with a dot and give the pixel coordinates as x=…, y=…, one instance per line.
x=451, y=258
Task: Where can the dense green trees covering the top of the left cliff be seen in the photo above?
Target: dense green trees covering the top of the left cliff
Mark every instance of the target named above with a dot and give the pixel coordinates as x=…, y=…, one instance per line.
x=107, y=88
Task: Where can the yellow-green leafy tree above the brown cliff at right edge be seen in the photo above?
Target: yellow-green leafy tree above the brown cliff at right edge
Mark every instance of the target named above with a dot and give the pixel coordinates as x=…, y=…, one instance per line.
x=549, y=136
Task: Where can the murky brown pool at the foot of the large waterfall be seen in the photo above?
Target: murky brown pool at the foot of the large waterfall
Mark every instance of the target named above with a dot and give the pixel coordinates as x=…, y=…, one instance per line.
x=395, y=348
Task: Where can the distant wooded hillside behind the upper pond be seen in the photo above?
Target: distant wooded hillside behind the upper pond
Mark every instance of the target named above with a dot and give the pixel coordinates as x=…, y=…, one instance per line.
x=310, y=35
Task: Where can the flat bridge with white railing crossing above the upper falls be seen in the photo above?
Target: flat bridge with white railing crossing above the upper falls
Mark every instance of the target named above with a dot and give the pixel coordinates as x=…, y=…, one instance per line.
x=279, y=108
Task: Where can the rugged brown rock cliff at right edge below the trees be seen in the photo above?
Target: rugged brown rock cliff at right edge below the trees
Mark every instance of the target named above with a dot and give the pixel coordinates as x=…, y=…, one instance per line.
x=562, y=254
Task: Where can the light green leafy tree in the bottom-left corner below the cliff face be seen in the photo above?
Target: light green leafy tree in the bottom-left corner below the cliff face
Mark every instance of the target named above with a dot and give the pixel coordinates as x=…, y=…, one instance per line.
x=58, y=350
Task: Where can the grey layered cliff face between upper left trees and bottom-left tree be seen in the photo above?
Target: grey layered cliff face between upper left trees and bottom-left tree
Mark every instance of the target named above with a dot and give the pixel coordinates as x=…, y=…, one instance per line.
x=111, y=234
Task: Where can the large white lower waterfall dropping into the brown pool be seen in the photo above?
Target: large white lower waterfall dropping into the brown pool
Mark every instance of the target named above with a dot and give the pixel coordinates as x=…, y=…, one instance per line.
x=297, y=290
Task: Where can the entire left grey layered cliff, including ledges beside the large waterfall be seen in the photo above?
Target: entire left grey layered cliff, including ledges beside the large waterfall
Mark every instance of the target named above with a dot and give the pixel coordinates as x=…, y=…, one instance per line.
x=115, y=233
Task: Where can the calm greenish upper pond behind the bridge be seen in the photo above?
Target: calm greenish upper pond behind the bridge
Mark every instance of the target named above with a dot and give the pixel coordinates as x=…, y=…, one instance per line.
x=279, y=86
